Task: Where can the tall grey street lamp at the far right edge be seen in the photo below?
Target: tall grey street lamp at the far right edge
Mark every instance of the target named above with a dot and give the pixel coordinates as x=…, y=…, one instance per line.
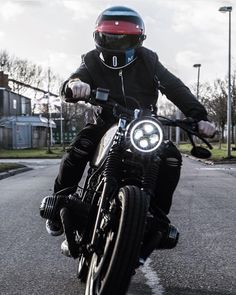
x=229, y=101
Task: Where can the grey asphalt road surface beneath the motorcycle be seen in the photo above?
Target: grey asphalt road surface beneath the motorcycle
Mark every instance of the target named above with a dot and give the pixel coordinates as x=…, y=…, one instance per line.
x=203, y=263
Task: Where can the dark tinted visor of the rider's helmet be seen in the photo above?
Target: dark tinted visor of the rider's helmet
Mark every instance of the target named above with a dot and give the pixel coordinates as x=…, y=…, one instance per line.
x=117, y=41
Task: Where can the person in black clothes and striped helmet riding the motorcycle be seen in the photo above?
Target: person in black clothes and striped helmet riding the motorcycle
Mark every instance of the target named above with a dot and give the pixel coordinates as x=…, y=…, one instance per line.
x=121, y=64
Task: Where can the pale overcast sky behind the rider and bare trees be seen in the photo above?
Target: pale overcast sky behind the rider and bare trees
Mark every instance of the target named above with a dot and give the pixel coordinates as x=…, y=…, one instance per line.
x=182, y=32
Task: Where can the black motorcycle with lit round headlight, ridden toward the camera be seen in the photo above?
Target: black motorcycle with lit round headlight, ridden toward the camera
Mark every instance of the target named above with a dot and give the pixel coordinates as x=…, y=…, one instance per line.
x=121, y=179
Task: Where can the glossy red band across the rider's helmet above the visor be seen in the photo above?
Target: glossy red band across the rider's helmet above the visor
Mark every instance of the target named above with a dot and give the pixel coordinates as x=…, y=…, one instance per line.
x=118, y=27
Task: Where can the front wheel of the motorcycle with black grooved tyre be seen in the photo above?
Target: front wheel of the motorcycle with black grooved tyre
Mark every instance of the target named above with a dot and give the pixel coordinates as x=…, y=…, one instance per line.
x=112, y=266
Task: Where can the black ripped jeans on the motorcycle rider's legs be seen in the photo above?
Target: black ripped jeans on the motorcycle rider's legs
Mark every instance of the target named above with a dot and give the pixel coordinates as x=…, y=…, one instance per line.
x=82, y=149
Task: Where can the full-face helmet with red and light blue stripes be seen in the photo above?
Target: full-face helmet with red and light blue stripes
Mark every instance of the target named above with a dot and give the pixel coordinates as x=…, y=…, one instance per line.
x=119, y=31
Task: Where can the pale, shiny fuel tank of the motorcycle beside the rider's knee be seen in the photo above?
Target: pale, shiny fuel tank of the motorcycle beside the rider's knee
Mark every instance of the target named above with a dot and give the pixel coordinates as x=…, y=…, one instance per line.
x=104, y=146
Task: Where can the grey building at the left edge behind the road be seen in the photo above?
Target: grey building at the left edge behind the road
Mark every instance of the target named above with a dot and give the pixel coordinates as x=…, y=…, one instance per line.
x=18, y=128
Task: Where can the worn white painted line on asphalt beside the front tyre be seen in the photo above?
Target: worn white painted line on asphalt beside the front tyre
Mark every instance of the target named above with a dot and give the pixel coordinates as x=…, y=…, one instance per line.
x=153, y=280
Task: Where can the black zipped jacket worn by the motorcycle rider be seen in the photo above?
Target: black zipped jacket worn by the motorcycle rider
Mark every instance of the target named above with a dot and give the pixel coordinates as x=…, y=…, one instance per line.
x=141, y=79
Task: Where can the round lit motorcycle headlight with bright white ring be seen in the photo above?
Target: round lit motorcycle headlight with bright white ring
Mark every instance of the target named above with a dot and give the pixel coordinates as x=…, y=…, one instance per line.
x=146, y=135
